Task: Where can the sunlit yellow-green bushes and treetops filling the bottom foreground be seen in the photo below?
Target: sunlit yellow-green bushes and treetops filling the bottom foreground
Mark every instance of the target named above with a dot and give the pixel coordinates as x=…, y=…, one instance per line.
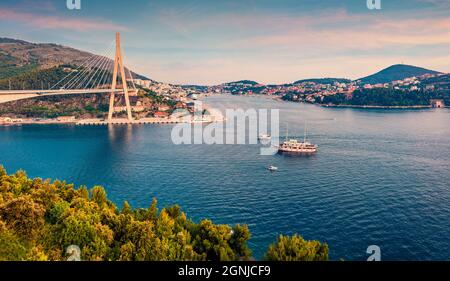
x=40, y=219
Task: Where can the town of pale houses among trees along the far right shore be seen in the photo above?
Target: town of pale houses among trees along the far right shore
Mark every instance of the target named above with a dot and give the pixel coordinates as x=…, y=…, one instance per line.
x=321, y=91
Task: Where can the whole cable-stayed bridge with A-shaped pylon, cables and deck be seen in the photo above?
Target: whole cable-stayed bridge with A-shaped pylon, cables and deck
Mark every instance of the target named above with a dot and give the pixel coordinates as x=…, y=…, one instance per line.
x=91, y=77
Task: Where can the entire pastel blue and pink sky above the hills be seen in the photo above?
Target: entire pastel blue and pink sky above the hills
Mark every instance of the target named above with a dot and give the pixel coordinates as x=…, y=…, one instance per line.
x=269, y=41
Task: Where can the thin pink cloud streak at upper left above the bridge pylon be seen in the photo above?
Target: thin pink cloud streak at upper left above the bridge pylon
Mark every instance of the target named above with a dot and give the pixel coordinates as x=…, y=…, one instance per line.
x=56, y=22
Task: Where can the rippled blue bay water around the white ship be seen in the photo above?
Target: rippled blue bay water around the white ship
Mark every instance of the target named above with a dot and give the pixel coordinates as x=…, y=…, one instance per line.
x=381, y=177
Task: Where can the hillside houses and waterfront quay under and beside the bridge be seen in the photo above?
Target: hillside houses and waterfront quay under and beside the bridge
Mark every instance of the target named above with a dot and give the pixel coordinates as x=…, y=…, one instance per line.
x=154, y=103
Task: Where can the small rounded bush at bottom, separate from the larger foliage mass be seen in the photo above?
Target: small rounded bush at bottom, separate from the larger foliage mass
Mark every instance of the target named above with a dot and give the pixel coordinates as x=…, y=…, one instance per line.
x=295, y=248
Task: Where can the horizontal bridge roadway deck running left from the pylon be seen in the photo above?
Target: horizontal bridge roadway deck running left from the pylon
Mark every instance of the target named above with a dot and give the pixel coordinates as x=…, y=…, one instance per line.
x=13, y=95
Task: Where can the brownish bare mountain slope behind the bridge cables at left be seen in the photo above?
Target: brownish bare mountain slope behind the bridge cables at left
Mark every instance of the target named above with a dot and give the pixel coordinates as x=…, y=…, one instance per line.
x=19, y=57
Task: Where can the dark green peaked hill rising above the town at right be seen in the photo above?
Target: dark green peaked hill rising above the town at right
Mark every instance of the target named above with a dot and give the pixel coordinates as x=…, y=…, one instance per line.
x=396, y=72
